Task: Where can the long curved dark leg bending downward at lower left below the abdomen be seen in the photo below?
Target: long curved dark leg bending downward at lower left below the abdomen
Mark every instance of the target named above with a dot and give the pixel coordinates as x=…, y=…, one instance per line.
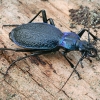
x=34, y=54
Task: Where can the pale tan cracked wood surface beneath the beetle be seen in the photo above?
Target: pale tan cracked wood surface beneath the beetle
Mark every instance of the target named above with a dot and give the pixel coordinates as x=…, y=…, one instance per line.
x=40, y=78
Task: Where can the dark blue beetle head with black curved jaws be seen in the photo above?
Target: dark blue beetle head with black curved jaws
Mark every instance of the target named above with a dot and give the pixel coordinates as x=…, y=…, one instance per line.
x=88, y=48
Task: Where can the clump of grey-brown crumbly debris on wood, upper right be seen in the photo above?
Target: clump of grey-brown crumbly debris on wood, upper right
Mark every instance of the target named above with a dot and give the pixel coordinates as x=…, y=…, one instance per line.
x=85, y=16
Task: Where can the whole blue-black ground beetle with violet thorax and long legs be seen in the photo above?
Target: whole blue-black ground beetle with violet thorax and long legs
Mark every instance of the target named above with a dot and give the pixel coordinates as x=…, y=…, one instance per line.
x=44, y=38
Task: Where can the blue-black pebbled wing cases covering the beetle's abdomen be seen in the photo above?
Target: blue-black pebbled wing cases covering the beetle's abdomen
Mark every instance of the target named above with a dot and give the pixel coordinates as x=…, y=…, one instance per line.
x=36, y=36
